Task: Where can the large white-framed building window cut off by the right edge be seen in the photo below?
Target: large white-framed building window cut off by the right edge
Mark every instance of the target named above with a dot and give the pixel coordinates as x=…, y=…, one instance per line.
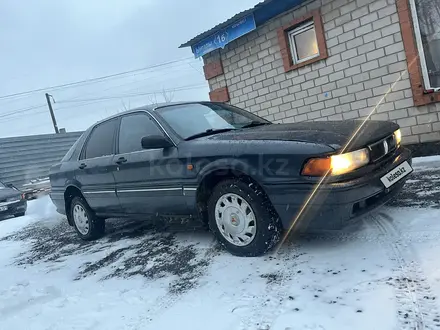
x=426, y=22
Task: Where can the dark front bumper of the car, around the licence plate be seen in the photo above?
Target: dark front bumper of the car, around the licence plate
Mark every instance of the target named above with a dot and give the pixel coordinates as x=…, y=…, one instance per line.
x=334, y=203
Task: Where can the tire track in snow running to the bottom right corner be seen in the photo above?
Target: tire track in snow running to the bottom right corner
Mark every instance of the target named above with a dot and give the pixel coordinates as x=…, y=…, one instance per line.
x=415, y=301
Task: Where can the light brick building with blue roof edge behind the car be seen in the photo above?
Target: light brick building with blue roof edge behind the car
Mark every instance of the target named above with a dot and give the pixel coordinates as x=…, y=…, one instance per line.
x=296, y=60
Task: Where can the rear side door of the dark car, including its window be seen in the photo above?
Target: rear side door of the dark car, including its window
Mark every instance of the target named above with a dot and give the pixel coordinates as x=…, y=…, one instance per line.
x=96, y=167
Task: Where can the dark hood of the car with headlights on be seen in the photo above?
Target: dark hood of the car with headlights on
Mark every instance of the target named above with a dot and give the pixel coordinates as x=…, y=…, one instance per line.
x=331, y=133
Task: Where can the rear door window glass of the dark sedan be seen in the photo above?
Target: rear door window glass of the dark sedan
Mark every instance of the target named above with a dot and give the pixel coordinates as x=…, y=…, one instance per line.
x=101, y=141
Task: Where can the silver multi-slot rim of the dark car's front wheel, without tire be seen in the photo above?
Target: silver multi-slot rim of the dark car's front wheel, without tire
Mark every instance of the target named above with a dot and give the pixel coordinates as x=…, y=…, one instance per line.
x=235, y=219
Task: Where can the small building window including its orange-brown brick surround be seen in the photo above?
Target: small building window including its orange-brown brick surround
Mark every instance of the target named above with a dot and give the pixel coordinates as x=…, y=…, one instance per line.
x=302, y=42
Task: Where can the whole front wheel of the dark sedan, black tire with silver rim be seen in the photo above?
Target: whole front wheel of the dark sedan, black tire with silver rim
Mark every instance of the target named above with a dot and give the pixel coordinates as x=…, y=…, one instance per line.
x=265, y=227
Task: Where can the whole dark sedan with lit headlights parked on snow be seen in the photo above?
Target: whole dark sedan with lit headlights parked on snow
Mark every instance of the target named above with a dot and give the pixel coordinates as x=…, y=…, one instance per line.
x=244, y=176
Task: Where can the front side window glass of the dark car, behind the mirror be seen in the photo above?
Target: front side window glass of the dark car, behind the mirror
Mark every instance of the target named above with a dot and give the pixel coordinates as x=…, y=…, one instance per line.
x=133, y=128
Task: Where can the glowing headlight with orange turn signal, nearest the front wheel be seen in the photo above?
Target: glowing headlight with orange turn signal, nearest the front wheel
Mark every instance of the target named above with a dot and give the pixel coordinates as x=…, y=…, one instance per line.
x=336, y=164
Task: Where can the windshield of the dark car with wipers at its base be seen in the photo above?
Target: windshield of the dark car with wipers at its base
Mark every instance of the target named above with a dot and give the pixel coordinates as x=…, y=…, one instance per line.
x=191, y=119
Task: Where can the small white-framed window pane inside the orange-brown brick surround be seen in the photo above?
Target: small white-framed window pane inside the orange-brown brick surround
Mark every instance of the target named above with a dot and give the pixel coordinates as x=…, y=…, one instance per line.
x=303, y=43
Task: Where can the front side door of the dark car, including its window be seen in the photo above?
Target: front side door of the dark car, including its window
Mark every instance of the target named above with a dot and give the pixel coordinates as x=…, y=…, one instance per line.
x=147, y=181
